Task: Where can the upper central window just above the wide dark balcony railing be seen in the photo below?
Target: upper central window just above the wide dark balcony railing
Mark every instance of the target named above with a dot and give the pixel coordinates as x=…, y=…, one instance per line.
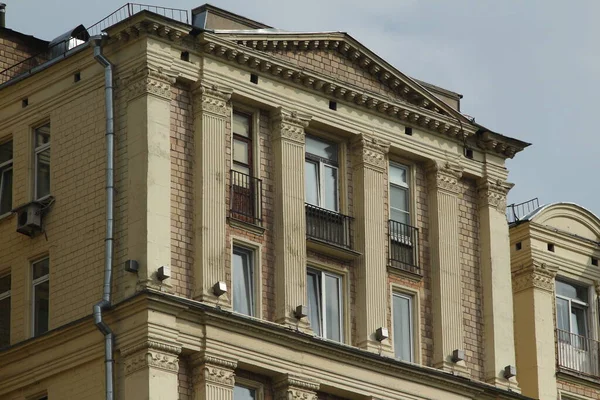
x=321, y=174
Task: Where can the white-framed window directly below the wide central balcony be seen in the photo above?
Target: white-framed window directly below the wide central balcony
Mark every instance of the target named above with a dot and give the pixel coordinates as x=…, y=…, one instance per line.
x=325, y=308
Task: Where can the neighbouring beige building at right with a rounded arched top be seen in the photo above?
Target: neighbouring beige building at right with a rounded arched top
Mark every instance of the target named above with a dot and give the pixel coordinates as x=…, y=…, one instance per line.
x=556, y=283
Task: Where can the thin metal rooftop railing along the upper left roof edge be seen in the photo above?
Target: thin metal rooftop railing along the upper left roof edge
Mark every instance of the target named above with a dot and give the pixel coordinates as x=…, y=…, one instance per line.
x=61, y=47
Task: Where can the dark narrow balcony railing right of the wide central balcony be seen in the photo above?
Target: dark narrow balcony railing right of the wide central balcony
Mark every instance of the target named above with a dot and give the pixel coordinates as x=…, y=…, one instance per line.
x=404, y=246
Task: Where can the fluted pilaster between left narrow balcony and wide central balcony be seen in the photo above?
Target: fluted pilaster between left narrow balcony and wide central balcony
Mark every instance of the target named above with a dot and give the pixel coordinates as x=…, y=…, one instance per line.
x=287, y=135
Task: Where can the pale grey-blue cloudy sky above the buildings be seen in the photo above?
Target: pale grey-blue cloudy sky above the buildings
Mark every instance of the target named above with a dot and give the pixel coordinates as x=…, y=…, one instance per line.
x=526, y=68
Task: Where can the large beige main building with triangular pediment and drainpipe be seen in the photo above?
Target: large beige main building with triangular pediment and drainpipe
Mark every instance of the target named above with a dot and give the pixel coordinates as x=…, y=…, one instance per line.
x=293, y=217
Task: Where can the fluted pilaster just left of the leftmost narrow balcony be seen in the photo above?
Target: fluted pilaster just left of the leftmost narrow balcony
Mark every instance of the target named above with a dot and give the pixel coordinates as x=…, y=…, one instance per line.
x=212, y=115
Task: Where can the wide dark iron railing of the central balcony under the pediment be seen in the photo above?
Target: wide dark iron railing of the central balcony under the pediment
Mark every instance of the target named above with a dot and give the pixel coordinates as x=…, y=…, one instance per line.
x=328, y=226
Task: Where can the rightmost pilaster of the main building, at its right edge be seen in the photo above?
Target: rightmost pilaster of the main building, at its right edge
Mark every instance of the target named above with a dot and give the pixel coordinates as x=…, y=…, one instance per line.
x=496, y=283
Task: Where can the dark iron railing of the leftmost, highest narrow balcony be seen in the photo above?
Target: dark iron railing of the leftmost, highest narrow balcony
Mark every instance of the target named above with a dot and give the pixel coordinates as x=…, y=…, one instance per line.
x=245, y=198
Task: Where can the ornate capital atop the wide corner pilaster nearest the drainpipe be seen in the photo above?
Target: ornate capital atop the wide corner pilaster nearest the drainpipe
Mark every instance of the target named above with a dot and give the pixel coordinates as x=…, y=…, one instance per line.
x=145, y=80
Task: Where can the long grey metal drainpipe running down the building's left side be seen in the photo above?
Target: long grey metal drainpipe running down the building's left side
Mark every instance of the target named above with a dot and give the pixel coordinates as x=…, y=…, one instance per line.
x=110, y=192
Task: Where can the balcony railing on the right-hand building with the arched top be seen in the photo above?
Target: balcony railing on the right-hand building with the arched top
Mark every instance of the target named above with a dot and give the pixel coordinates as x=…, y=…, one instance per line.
x=578, y=353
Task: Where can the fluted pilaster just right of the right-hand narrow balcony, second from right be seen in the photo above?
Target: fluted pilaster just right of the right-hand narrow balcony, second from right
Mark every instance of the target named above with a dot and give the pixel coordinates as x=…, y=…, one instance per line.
x=448, y=332
